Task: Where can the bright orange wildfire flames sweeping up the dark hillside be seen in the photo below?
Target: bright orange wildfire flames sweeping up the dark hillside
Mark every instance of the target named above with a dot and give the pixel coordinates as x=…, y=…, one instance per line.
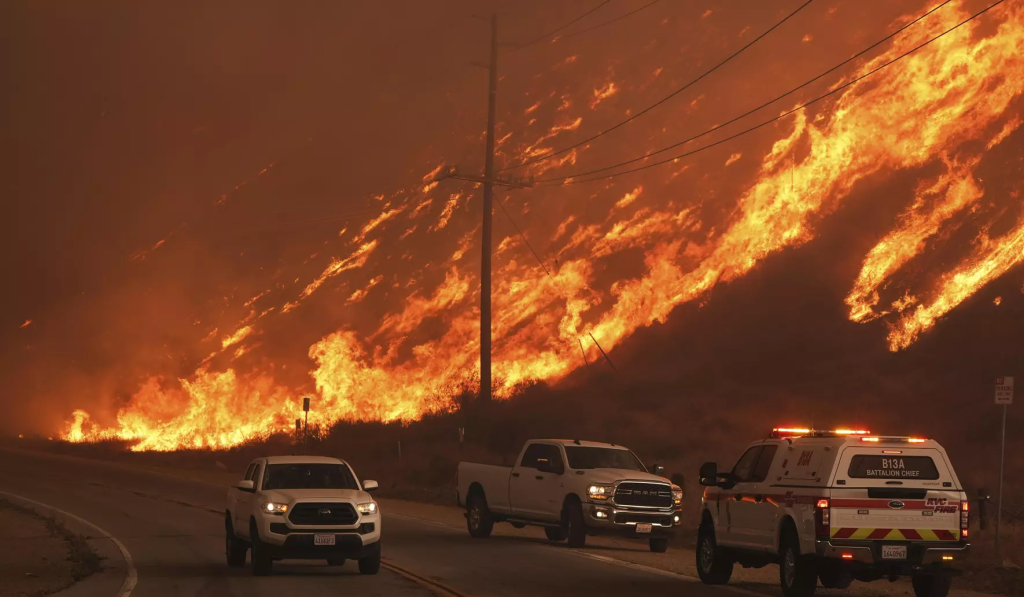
x=945, y=106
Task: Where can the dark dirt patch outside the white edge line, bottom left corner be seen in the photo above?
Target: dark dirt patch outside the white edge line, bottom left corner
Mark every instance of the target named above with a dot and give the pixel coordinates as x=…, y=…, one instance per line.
x=49, y=557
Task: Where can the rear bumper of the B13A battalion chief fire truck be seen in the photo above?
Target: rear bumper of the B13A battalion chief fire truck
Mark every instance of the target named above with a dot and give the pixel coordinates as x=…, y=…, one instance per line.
x=869, y=553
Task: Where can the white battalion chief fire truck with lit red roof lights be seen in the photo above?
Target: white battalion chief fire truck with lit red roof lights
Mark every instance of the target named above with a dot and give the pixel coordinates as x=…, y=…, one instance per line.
x=835, y=506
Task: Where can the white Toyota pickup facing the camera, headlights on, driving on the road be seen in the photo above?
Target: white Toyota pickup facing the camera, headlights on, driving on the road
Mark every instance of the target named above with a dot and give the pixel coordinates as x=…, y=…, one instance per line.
x=303, y=507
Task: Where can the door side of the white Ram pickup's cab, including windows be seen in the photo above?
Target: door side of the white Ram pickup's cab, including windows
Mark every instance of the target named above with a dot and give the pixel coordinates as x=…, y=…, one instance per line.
x=533, y=491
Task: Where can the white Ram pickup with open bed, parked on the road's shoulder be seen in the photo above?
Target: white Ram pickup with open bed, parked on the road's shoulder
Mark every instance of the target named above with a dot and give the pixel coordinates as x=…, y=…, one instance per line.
x=572, y=489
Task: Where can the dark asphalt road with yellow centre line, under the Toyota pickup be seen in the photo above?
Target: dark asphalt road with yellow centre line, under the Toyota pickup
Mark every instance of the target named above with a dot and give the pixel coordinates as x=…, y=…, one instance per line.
x=174, y=530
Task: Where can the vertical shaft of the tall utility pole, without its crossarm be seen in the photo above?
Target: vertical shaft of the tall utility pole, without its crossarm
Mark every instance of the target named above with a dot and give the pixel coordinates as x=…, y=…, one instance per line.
x=489, y=193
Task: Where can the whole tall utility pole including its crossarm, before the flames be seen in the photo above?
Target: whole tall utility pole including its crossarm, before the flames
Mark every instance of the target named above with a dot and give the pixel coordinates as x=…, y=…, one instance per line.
x=489, y=181
